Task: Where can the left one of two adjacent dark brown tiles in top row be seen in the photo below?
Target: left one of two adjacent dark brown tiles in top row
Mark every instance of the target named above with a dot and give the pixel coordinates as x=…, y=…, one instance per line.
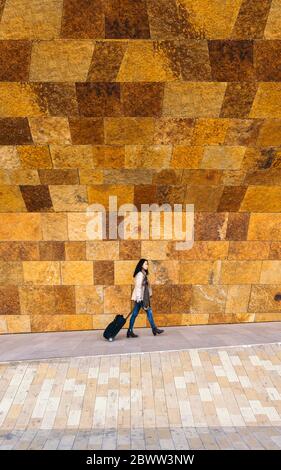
x=82, y=19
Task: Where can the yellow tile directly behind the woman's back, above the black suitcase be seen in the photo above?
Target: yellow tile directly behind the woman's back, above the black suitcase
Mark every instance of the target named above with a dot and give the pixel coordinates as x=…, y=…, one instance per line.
x=117, y=299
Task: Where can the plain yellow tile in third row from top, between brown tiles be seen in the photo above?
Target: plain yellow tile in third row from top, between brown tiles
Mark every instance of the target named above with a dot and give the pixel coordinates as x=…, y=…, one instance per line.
x=193, y=99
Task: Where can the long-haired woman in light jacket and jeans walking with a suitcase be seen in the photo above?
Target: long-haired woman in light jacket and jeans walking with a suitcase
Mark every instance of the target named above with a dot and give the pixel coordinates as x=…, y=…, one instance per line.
x=141, y=295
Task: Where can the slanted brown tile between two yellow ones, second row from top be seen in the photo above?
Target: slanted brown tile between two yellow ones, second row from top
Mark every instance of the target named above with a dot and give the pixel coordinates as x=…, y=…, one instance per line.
x=106, y=61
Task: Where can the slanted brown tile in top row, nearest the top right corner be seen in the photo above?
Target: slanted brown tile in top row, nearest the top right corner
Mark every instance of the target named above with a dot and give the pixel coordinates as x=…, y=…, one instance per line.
x=251, y=20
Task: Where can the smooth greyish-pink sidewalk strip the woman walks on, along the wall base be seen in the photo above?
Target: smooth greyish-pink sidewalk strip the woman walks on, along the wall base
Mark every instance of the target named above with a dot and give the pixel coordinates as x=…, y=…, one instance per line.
x=91, y=343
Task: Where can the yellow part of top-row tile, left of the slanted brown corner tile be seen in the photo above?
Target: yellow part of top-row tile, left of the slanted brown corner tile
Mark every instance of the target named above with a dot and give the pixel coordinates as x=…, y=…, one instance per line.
x=214, y=17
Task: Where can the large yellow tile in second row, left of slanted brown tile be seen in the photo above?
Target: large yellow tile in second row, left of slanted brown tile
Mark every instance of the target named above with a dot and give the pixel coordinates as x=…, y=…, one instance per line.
x=61, y=60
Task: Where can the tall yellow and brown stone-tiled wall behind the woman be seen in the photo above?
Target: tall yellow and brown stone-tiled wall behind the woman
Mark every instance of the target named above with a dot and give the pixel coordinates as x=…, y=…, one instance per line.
x=172, y=101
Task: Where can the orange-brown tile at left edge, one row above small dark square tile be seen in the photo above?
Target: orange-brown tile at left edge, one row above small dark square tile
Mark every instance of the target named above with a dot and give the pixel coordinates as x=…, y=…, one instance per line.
x=19, y=251
